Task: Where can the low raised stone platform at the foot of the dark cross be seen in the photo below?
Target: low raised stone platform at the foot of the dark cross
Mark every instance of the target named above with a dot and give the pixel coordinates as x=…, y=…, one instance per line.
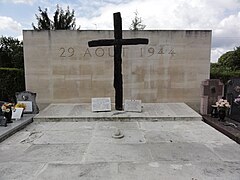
x=150, y=112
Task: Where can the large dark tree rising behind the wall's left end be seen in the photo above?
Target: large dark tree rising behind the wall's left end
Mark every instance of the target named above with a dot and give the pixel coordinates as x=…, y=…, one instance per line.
x=61, y=20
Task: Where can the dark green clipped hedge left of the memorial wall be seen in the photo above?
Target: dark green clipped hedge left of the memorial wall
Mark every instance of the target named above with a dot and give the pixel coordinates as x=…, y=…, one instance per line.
x=11, y=80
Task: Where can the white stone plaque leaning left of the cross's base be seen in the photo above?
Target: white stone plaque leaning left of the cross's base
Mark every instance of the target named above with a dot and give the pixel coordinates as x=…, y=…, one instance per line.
x=101, y=104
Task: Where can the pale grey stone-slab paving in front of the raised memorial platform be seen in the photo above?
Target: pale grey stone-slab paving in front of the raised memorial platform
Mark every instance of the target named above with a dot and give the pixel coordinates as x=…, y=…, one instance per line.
x=149, y=150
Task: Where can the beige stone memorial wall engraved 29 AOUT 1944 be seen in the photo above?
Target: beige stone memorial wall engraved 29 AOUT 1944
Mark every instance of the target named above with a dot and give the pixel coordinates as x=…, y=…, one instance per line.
x=60, y=67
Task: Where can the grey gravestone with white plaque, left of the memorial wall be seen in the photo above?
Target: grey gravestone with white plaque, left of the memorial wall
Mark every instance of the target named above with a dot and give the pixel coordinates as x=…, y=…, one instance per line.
x=28, y=98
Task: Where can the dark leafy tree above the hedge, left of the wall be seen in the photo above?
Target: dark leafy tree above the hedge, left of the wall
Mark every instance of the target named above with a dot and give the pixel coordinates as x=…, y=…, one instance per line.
x=11, y=53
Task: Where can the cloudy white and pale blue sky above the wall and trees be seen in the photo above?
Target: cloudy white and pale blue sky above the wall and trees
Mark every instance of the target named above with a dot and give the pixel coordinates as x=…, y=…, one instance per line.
x=220, y=16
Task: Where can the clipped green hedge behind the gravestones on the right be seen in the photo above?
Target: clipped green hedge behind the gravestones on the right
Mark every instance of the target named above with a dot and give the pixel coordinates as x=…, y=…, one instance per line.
x=224, y=75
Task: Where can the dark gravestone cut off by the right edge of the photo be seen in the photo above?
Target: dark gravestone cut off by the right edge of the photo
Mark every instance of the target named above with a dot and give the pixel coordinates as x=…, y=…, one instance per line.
x=233, y=92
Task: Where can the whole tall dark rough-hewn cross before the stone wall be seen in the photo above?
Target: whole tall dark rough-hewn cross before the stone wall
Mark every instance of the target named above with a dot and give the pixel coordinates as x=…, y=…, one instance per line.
x=117, y=43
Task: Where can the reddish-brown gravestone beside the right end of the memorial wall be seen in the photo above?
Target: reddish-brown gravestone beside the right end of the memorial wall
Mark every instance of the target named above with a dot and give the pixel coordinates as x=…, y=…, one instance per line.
x=211, y=91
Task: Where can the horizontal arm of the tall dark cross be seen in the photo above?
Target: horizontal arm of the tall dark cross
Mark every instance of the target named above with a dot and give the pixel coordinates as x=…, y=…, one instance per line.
x=111, y=42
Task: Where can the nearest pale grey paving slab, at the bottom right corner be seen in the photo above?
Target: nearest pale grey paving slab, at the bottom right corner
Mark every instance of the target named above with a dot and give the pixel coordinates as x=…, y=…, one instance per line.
x=179, y=170
